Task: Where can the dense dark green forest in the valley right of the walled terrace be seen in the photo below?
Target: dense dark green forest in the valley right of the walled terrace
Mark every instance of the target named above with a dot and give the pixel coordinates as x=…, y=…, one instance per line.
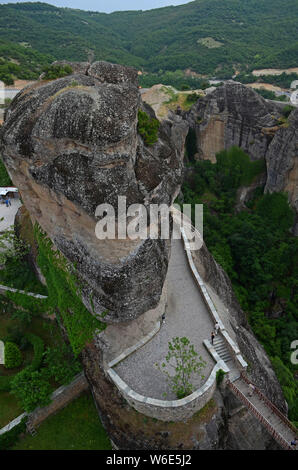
x=257, y=250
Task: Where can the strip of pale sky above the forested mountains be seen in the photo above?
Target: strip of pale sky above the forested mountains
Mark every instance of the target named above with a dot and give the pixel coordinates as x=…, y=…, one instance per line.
x=110, y=5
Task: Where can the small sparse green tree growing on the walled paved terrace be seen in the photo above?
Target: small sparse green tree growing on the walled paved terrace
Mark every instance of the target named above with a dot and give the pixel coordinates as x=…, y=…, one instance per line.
x=185, y=361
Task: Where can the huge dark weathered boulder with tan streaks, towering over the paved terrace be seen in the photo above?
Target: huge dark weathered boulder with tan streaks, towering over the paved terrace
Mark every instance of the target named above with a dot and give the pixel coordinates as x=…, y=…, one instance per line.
x=71, y=145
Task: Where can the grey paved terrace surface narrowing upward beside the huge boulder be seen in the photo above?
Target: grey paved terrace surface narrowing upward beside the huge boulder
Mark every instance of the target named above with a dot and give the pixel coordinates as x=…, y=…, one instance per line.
x=186, y=315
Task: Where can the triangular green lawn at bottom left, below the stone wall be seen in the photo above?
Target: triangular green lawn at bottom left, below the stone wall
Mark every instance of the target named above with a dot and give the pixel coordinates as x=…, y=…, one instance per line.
x=79, y=429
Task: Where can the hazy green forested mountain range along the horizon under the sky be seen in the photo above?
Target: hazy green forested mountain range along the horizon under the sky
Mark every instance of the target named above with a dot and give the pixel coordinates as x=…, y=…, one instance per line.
x=204, y=35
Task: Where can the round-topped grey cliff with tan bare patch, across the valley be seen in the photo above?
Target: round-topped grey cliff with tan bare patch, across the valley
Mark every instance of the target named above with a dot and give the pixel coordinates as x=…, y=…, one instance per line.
x=233, y=115
